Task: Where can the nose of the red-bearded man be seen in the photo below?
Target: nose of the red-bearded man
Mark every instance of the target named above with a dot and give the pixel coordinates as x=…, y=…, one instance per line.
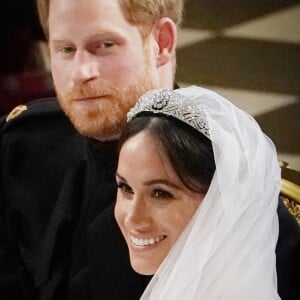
x=85, y=67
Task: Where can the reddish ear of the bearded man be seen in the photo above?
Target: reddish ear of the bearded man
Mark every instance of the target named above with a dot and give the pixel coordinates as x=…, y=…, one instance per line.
x=166, y=38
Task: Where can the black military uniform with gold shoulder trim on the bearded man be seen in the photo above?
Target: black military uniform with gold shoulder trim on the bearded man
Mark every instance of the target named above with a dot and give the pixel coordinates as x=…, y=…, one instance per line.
x=58, y=236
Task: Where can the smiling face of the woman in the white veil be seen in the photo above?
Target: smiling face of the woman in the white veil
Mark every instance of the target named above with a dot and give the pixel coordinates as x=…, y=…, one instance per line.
x=153, y=205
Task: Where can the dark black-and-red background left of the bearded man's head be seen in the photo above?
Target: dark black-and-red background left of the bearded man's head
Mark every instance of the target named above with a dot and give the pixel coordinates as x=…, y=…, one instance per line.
x=22, y=75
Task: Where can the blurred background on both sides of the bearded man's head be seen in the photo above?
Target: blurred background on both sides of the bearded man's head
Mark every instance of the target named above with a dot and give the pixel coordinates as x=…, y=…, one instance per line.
x=248, y=51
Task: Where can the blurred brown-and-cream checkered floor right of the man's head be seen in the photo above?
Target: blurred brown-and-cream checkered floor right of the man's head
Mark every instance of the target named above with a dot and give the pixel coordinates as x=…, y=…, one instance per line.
x=248, y=51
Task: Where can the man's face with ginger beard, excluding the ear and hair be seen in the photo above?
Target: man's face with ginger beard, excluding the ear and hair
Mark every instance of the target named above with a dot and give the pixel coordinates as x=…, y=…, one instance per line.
x=99, y=62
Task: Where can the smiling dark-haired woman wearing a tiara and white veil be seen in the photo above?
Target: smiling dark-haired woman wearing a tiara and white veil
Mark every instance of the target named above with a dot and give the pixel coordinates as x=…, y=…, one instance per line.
x=198, y=186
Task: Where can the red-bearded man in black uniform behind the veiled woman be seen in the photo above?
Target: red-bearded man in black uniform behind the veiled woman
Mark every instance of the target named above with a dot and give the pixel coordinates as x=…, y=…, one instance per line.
x=57, y=186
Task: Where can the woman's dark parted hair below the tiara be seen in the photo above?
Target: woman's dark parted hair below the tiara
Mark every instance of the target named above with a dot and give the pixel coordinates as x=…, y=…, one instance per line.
x=189, y=151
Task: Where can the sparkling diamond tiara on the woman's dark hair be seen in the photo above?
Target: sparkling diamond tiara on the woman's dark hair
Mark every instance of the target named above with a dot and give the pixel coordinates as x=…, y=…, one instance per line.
x=171, y=103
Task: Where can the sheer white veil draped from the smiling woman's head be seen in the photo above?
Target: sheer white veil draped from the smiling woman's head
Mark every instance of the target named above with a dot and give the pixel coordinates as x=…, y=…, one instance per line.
x=228, y=249
